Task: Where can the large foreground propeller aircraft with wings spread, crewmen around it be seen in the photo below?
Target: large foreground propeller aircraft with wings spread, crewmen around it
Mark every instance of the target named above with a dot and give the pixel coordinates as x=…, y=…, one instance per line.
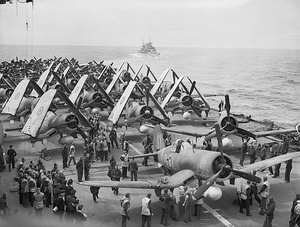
x=187, y=164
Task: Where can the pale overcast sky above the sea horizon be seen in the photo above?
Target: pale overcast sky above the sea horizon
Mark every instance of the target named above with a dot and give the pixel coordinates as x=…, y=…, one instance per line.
x=167, y=23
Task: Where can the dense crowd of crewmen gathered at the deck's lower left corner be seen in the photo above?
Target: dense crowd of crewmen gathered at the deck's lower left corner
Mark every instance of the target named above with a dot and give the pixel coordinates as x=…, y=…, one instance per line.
x=39, y=188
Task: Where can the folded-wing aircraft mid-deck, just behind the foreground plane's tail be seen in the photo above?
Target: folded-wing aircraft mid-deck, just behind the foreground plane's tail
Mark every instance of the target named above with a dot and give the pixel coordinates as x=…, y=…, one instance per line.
x=136, y=111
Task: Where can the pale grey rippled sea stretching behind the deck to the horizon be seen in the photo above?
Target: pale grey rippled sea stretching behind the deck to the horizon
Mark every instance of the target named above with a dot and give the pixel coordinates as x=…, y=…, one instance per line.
x=263, y=83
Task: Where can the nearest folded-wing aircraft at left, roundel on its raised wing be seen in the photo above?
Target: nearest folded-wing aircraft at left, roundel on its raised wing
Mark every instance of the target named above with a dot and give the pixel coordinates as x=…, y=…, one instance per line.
x=44, y=123
